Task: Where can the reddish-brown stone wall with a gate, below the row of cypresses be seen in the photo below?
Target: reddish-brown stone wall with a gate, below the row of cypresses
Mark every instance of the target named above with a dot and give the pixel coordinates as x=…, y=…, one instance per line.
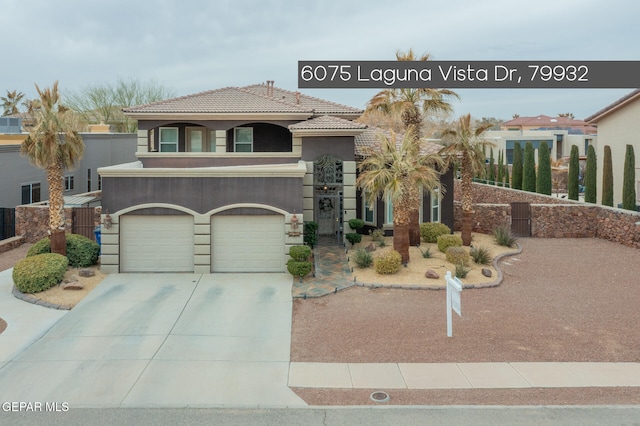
x=551, y=217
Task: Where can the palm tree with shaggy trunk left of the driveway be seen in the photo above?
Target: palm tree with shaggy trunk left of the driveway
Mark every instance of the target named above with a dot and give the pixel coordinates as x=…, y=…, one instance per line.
x=53, y=146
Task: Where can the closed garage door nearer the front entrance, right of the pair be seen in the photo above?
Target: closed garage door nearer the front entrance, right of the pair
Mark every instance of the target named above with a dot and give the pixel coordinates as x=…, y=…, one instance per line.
x=247, y=243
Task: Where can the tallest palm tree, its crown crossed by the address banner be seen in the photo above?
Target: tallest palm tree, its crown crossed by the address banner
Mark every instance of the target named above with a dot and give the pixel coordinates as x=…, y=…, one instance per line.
x=410, y=106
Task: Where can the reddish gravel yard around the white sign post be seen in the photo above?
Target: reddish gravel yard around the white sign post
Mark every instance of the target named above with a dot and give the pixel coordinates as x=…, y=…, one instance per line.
x=563, y=300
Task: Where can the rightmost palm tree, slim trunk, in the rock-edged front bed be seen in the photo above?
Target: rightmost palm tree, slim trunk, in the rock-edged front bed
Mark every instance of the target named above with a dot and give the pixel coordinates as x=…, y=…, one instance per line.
x=466, y=145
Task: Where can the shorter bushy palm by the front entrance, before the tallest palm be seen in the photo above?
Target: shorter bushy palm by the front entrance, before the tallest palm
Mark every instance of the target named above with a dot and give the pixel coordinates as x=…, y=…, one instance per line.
x=397, y=171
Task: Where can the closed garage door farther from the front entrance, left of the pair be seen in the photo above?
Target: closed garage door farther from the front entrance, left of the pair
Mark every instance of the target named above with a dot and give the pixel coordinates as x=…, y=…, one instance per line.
x=156, y=243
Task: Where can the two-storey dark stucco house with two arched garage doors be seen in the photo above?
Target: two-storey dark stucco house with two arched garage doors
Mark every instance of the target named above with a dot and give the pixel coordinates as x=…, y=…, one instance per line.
x=225, y=179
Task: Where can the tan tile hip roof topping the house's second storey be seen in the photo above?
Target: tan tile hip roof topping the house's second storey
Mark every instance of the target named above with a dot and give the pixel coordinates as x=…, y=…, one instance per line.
x=249, y=99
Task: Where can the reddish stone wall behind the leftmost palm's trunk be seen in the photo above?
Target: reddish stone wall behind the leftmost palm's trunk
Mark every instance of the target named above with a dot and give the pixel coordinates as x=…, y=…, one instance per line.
x=32, y=221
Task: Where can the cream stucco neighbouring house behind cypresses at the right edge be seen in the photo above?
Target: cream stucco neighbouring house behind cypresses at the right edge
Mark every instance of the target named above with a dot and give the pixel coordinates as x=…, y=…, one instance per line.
x=618, y=126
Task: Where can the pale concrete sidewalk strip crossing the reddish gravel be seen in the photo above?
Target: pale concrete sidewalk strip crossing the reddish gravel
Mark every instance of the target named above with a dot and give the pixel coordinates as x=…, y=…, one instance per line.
x=463, y=375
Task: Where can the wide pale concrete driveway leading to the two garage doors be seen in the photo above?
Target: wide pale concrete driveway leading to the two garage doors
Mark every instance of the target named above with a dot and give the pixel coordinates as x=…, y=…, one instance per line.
x=164, y=339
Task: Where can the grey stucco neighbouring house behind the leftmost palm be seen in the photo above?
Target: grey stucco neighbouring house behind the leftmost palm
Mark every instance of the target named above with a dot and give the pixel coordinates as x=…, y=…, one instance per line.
x=22, y=183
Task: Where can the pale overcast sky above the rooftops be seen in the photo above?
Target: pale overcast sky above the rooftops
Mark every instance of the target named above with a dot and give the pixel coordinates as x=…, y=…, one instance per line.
x=191, y=46
